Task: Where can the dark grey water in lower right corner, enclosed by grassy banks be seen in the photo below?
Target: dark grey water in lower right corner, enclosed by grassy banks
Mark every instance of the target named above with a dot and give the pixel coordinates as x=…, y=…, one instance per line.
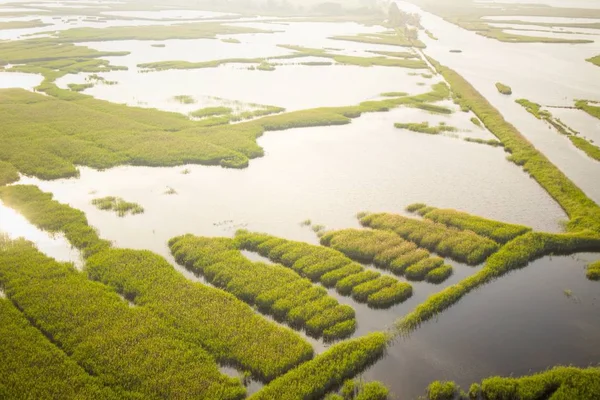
x=520, y=323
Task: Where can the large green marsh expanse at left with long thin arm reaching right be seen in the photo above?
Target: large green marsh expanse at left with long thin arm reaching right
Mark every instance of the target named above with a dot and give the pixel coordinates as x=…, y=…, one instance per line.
x=46, y=136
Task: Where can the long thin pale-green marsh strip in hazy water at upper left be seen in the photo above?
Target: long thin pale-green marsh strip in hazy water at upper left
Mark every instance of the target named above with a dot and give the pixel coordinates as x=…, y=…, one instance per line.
x=202, y=30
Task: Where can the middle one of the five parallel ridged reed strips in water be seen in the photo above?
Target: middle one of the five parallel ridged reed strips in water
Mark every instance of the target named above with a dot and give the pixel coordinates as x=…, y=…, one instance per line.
x=386, y=250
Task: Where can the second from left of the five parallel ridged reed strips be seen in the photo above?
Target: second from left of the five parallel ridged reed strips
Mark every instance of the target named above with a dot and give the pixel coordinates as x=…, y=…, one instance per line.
x=328, y=266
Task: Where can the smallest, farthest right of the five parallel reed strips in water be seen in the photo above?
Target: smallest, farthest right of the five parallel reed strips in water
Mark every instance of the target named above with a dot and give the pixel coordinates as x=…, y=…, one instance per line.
x=500, y=232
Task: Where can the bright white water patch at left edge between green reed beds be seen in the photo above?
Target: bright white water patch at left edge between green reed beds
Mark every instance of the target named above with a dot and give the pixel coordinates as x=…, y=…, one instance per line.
x=53, y=245
